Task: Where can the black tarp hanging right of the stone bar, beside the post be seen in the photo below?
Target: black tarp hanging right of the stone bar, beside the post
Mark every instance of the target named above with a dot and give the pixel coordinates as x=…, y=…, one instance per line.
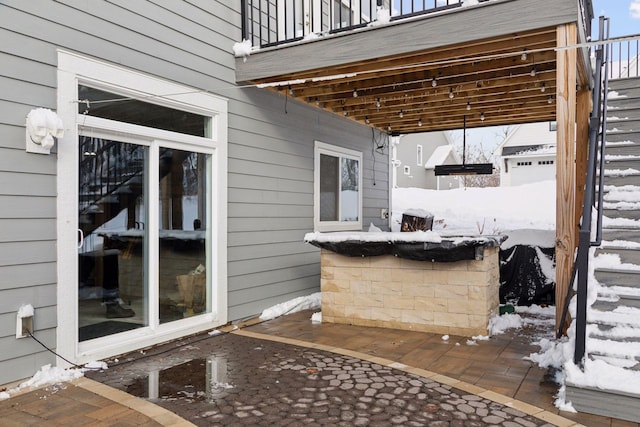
x=522, y=279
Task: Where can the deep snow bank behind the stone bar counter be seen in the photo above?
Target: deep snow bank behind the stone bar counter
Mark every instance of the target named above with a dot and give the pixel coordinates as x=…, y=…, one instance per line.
x=474, y=211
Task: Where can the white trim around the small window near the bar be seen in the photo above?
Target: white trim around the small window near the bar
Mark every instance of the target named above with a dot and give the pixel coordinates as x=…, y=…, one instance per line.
x=334, y=150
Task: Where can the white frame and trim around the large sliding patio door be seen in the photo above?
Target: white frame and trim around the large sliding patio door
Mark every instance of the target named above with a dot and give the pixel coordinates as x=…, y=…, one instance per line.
x=74, y=69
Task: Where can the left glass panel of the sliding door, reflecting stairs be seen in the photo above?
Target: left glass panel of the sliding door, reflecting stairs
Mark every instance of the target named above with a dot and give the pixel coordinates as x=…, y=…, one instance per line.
x=113, y=240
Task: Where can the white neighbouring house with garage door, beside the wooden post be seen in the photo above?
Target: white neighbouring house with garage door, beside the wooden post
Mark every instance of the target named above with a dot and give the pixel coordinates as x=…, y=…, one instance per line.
x=528, y=154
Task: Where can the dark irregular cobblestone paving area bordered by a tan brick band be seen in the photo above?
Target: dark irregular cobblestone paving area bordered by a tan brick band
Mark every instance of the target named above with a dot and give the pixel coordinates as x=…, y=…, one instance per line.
x=235, y=380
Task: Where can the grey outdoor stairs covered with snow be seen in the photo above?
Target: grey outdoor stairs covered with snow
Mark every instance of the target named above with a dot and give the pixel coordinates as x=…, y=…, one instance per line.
x=613, y=320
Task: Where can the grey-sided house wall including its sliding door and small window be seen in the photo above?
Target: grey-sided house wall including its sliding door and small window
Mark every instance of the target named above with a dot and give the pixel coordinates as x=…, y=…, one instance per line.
x=177, y=200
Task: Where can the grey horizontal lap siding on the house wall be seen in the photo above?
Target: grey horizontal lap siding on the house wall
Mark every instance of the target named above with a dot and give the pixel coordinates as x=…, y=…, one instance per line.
x=270, y=164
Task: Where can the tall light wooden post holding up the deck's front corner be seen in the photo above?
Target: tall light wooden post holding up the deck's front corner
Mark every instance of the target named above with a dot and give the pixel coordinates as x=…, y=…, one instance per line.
x=566, y=73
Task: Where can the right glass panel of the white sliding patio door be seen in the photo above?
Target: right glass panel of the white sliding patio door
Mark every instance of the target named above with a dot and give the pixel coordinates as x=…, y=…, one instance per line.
x=182, y=222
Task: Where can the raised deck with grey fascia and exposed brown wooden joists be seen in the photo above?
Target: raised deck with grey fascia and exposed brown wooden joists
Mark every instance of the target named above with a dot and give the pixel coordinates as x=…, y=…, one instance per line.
x=494, y=63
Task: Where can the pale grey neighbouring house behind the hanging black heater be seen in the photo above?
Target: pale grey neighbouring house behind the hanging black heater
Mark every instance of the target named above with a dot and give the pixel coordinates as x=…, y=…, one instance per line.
x=415, y=157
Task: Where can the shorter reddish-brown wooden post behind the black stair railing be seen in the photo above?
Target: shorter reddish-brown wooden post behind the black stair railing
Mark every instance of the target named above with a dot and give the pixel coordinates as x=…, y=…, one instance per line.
x=583, y=112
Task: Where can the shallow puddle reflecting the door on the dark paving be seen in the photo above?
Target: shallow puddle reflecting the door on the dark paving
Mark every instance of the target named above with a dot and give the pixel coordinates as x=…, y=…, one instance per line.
x=195, y=380
